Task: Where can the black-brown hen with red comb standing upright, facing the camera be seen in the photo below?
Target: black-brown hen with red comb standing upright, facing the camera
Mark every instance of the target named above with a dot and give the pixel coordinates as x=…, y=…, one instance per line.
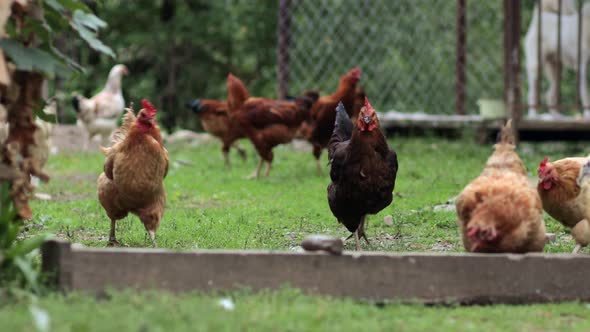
x=363, y=170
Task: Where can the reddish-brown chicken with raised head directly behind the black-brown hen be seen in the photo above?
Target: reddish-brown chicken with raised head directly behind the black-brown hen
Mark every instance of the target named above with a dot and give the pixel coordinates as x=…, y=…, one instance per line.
x=323, y=114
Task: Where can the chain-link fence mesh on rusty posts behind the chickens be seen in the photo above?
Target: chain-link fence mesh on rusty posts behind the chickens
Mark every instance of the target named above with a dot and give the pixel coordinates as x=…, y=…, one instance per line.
x=407, y=50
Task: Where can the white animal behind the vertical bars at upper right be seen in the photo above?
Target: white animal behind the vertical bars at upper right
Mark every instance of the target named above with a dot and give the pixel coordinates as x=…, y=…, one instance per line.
x=569, y=51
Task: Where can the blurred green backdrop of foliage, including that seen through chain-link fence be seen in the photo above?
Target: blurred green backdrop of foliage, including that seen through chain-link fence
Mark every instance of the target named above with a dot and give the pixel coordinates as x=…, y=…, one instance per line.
x=177, y=50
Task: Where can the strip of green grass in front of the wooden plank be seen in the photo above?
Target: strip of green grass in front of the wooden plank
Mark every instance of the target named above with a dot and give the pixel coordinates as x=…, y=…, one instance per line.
x=285, y=310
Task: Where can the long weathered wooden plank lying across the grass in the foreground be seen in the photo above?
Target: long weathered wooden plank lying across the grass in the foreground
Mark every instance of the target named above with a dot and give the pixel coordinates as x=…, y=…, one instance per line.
x=428, y=278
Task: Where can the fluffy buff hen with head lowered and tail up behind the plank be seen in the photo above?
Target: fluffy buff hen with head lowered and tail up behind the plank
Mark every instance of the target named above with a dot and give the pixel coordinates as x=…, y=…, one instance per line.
x=499, y=211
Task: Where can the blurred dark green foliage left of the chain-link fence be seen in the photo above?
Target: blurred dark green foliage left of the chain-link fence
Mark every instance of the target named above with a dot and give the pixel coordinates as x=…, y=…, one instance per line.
x=180, y=50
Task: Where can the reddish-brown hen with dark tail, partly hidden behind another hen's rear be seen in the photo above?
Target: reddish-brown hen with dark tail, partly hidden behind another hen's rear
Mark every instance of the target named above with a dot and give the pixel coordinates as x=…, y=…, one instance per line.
x=215, y=120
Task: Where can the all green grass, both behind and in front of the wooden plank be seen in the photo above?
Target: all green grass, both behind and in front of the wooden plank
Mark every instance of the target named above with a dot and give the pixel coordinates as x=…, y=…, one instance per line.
x=210, y=206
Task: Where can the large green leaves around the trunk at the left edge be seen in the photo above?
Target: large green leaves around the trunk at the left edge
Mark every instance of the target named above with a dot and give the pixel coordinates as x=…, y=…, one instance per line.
x=17, y=264
